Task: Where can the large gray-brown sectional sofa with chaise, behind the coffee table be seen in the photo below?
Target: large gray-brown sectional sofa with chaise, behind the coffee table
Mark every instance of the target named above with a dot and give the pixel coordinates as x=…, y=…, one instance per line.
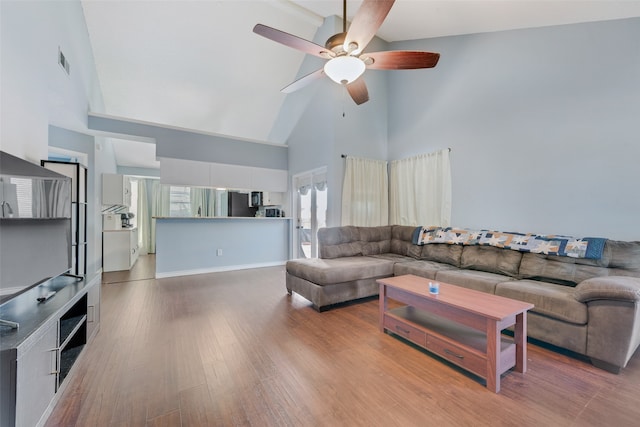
x=588, y=306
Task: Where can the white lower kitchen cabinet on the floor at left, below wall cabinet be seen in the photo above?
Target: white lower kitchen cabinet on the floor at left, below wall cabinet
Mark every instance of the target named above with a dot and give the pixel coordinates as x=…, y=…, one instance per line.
x=120, y=249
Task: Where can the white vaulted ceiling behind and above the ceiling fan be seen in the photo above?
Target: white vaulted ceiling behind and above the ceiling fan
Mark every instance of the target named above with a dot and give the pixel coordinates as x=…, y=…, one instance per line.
x=198, y=65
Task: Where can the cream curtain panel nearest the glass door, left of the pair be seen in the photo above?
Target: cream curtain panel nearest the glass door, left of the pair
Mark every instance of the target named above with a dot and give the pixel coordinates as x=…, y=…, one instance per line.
x=365, y=192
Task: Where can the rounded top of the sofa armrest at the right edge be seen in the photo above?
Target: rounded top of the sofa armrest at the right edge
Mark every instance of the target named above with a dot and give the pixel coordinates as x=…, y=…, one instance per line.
x=619, y=288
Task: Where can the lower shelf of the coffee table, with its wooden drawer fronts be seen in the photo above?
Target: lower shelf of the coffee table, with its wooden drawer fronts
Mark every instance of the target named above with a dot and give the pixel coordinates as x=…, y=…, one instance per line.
x=461, y=345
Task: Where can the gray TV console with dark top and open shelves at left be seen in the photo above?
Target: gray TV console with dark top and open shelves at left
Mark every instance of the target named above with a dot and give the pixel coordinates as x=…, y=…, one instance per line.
x=56, y=320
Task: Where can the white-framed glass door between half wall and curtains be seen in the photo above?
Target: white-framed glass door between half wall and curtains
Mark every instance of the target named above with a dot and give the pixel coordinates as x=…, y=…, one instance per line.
x=310, y=200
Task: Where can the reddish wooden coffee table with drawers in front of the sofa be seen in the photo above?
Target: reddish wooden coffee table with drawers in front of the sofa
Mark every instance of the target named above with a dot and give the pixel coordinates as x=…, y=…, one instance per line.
x=460, y=325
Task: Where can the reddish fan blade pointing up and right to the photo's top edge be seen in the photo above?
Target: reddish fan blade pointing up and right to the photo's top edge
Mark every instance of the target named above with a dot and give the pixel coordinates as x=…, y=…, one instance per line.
x=366, y=22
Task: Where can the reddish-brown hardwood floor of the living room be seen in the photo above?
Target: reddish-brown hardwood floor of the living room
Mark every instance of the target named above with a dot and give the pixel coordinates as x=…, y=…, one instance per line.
x=233, y=348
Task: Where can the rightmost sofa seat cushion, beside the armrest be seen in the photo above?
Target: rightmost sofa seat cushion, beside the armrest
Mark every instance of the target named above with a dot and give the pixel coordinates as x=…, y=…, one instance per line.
x=549, y=299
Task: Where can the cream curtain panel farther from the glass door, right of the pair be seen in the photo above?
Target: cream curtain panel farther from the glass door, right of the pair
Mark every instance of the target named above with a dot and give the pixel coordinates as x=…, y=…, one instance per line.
x=420, y=190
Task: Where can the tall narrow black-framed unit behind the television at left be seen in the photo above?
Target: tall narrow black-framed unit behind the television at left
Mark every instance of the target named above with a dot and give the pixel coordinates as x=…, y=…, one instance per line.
x=78, y=175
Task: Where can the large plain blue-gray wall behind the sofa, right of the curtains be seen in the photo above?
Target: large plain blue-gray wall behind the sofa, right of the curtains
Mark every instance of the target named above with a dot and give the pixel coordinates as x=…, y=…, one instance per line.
x=543, y=126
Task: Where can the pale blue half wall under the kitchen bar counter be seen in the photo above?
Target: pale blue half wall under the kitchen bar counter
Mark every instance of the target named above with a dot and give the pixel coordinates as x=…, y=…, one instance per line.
x=197, y=245
